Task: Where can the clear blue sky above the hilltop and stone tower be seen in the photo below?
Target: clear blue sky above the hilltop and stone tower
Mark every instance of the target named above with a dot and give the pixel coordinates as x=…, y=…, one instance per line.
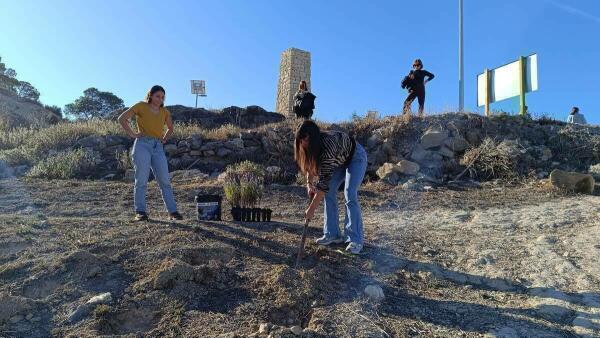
x=360, y=50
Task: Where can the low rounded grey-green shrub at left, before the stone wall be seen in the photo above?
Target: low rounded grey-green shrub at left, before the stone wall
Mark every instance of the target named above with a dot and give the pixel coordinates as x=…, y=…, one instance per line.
x=69, y=164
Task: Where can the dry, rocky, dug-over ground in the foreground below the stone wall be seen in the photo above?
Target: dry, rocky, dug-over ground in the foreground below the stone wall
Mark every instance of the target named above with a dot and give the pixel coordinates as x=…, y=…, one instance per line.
x=494, y=260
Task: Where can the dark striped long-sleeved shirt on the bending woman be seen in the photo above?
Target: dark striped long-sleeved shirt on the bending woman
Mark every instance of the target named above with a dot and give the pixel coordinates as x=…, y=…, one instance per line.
x=337, y=149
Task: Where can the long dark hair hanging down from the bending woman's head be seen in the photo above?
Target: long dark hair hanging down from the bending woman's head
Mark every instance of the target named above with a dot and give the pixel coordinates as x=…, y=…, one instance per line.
x=308, y=159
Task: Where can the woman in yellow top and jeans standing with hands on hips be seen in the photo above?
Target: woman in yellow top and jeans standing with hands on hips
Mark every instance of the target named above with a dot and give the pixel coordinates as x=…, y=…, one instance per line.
x=148, y=153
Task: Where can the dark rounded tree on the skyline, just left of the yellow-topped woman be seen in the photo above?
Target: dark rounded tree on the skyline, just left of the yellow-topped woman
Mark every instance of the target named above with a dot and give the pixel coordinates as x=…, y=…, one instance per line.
x=94, y=103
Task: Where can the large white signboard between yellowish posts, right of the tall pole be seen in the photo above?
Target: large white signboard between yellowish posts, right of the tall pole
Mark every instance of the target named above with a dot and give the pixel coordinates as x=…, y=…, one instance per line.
x=505, y=82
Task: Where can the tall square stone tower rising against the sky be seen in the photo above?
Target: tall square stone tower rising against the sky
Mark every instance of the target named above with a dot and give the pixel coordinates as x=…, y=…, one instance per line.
x=294, y=67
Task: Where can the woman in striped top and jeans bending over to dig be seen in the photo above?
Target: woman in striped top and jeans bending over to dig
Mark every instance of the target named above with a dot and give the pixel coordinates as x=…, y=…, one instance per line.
x=333, y=157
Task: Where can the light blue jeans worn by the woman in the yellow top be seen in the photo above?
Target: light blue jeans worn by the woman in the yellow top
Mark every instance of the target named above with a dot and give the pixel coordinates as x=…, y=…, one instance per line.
x=148, y=153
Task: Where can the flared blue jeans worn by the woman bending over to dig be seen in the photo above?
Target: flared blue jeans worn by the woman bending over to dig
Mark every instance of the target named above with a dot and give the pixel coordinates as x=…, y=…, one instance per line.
x=353, y=175
